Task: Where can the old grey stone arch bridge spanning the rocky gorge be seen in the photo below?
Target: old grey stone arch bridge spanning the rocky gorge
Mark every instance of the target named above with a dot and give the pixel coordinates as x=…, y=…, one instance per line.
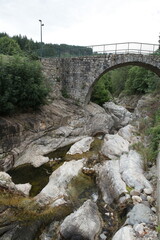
x=75, y=77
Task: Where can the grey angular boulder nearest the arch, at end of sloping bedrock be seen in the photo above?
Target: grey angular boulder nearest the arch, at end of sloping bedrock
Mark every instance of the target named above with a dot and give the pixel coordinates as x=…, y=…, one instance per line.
x=120, y=115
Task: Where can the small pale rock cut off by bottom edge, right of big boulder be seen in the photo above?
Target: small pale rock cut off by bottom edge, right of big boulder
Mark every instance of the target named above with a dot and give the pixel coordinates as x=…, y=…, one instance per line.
x=125, y=233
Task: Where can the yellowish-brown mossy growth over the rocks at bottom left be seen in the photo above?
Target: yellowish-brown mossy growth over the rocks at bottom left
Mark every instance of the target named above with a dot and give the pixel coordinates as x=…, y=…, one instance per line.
x=26, y=209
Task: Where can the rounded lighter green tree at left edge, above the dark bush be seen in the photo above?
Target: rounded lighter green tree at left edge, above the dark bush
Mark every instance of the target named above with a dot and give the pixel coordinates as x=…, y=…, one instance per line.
x=9, y=46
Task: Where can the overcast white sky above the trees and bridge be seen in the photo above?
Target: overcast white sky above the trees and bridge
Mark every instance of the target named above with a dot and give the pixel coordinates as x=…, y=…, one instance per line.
x=82, y=22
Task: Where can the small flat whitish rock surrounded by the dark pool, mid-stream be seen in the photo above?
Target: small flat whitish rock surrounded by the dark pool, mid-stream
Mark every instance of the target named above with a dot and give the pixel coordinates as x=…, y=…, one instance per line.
x=81, y=146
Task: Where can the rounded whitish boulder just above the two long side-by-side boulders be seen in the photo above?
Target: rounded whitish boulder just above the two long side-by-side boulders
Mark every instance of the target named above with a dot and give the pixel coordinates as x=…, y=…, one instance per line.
x=114, y=146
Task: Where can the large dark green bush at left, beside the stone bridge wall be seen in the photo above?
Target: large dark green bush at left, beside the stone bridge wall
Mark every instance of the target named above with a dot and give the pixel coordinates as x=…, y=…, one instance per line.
x=21, y=84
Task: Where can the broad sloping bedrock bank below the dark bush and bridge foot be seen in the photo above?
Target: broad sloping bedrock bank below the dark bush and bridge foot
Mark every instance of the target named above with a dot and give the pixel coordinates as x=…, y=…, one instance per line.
x=55, y=125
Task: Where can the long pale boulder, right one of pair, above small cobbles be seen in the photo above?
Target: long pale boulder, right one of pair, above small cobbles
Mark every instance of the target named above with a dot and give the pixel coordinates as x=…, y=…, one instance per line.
x=131, y=168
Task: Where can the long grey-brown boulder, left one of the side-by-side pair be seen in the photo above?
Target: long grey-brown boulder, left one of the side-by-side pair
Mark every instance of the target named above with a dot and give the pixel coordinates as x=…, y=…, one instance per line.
x=109, y=181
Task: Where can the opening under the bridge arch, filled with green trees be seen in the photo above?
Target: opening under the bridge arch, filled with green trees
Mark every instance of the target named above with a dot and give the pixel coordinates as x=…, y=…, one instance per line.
x=146, y=79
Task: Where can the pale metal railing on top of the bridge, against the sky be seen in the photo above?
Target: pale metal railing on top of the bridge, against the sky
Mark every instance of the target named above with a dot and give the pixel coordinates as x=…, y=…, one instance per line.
x=126, y=47
